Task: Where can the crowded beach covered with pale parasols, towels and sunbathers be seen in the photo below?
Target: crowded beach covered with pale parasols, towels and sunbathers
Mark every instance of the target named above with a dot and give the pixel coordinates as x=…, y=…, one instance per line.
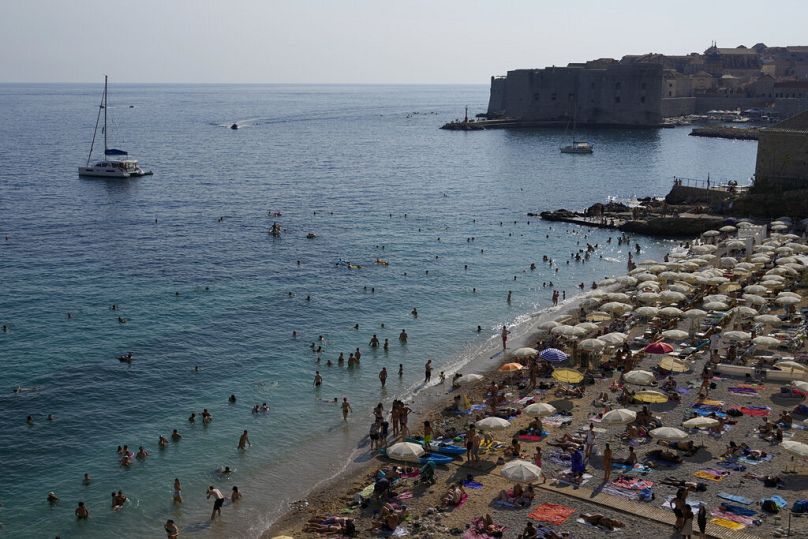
x=742, y=389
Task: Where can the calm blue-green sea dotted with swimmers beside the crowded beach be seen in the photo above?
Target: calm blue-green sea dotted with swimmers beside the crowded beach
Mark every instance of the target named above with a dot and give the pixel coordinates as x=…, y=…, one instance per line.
x=367, y=170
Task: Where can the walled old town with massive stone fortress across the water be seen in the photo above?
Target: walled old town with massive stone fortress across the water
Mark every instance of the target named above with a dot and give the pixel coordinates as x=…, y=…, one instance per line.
x=645, y=89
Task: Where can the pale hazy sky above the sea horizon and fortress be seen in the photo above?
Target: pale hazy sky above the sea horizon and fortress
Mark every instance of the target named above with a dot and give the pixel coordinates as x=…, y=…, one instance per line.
x=362, y=41
